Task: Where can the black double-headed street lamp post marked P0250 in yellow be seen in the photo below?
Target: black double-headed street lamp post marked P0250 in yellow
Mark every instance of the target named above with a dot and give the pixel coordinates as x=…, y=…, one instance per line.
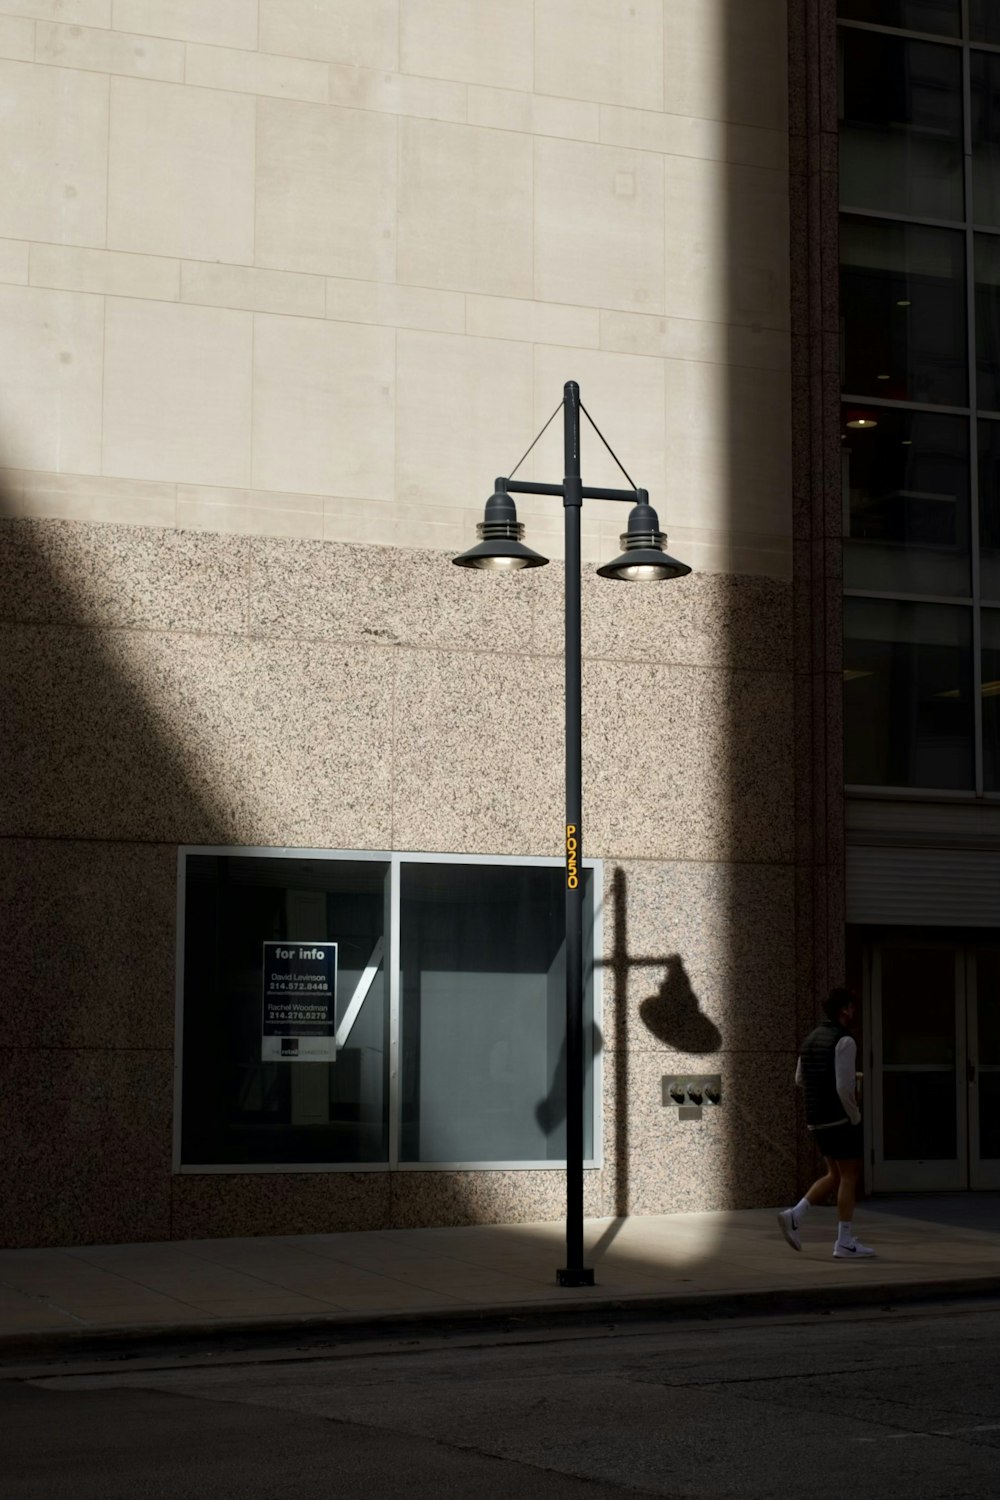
x=644, y=559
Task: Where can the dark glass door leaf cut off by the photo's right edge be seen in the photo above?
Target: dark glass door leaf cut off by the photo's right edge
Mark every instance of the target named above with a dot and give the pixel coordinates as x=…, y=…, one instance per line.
x=984, y=1069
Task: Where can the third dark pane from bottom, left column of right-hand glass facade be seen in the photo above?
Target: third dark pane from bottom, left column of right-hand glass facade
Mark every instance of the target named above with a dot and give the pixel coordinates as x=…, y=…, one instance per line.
x=903, y=313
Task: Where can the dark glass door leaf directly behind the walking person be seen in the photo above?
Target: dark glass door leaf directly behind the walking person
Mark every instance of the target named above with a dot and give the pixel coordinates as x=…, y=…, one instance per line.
x=918, y=1061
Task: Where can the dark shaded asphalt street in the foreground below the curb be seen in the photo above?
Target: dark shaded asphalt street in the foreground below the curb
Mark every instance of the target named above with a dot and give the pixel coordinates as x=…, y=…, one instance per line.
x=876, y=1405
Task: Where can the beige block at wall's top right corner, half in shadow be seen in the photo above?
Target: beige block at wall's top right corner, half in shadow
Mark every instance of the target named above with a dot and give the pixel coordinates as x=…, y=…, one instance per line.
x=728, y=61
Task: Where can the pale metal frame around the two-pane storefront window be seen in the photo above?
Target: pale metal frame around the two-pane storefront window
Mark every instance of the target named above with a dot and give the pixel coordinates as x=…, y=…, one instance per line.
x=392, y=964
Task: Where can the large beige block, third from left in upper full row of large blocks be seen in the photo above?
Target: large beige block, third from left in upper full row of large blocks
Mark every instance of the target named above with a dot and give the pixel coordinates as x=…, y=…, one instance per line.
x=326, y=190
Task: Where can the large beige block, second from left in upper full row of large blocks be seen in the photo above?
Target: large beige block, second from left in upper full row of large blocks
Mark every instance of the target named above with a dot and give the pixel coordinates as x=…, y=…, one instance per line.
x=181, y=172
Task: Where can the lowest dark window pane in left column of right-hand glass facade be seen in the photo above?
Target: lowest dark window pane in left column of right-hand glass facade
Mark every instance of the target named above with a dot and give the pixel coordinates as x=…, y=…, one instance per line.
x=908, y=695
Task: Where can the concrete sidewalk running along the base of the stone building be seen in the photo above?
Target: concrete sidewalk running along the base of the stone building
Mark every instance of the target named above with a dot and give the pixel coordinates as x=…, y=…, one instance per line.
x=55, y=1300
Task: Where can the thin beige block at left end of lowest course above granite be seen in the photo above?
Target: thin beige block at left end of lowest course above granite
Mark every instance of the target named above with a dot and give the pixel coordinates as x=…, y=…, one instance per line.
x=91, y=499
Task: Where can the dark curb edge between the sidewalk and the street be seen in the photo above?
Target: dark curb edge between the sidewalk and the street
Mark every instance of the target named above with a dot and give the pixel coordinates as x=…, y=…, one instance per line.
x=490, y=1318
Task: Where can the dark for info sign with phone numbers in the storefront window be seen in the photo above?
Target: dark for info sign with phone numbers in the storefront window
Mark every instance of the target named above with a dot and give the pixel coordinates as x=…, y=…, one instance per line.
x=301, y=1001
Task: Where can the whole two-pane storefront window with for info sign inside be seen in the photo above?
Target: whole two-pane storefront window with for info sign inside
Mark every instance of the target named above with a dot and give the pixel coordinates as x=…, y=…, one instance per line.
x=298, y=989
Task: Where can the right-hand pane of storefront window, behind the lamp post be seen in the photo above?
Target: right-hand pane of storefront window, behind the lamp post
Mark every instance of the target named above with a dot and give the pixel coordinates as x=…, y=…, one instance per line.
x=484, y=1013
